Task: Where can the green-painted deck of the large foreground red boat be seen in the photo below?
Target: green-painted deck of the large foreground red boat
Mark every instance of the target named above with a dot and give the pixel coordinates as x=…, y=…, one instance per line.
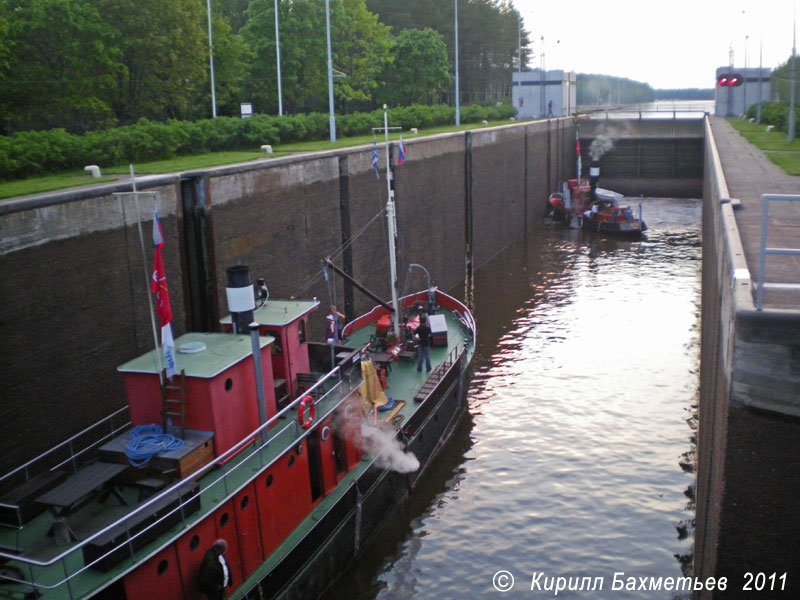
x=55, y=559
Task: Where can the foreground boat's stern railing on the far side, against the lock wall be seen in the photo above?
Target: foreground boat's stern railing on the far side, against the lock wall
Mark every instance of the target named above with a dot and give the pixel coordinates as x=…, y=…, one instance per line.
x=71, y=452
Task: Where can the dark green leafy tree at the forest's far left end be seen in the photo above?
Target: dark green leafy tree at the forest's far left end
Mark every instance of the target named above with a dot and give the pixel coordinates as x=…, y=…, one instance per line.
x=57, y=62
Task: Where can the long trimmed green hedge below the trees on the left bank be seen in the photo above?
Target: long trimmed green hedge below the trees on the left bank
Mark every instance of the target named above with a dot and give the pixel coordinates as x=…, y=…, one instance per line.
x=33, y=153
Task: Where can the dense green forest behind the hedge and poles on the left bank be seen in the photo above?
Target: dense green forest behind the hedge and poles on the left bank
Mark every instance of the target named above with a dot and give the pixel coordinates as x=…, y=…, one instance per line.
x=86, y=65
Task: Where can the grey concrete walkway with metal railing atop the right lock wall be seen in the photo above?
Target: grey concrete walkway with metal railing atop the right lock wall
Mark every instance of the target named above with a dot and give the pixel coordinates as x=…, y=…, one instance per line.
x=749, y=173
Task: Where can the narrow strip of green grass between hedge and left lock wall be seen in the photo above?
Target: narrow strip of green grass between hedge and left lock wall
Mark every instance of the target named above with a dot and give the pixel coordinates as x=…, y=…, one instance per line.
x=71, y=179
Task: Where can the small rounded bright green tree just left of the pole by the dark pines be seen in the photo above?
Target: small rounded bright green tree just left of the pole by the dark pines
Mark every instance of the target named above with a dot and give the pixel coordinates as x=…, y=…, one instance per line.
x=419, y=70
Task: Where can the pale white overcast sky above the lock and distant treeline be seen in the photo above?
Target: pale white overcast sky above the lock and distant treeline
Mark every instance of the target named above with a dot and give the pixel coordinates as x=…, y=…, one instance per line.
x=668, y=43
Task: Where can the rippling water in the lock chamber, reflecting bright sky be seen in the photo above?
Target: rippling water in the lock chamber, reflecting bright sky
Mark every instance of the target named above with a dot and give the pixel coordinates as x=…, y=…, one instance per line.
x=575, y=458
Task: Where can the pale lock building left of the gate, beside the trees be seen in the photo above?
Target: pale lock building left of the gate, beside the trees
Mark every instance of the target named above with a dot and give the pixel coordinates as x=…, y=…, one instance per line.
x=540, y=93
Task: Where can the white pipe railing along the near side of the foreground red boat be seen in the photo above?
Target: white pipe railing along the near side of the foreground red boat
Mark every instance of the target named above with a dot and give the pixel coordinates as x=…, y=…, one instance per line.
x=277, y=431
